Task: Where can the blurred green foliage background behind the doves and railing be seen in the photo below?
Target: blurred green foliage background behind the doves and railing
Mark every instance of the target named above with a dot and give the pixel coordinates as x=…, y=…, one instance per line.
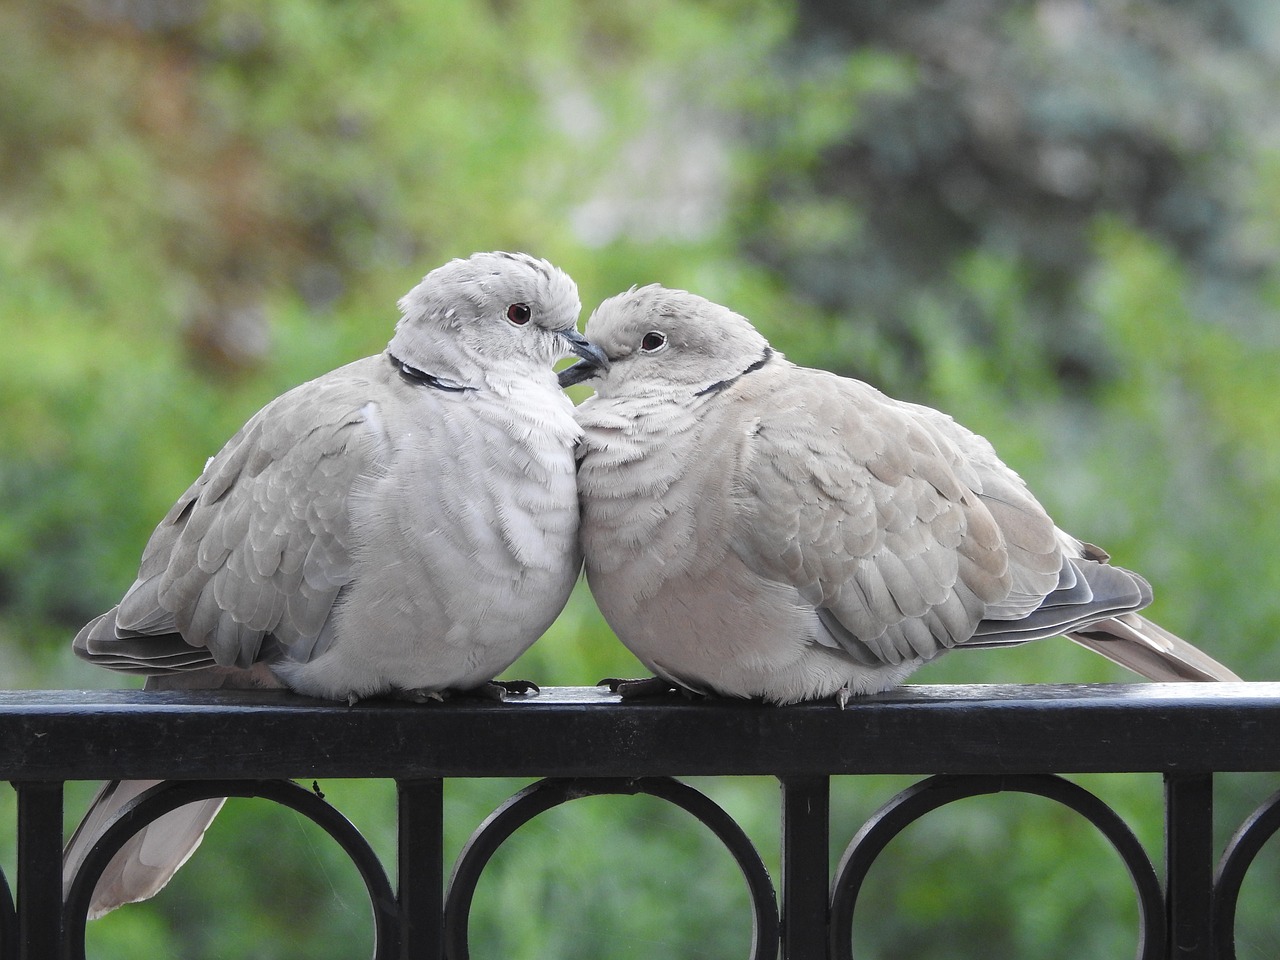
x=1057, y=221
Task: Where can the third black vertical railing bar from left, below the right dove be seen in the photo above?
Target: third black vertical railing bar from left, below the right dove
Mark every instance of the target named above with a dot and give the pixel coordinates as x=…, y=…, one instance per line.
x=806, y=867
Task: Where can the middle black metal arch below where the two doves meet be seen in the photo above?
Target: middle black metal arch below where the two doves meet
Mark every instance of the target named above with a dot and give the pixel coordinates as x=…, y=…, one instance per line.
x=546, y=794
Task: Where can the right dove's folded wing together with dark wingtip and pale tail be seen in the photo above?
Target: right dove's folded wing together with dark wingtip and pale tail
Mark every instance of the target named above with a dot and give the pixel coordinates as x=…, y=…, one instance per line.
x=909, y=536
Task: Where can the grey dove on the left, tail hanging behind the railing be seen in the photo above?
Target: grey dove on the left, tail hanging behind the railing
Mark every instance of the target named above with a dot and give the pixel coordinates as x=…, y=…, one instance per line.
x=405, y=525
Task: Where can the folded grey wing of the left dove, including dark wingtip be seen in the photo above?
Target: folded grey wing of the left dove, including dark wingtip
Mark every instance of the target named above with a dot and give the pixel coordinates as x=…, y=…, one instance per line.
x=258, y=548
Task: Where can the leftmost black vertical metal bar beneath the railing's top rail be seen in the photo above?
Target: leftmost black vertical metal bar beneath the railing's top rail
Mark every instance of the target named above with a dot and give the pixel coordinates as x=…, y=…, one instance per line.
x=40, y=870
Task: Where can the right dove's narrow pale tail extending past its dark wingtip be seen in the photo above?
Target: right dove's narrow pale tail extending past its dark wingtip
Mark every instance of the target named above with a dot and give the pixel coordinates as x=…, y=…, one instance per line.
x=1149, y=650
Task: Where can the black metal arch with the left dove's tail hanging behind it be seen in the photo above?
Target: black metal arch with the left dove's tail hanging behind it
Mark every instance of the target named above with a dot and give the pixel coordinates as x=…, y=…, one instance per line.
x=170, y=796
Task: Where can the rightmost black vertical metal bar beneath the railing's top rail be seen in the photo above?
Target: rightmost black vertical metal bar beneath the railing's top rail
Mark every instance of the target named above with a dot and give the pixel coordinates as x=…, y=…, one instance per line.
x=1190, y=865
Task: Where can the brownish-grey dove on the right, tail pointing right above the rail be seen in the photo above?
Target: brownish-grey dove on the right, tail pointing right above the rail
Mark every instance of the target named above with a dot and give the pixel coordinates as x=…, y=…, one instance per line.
x=757, y=529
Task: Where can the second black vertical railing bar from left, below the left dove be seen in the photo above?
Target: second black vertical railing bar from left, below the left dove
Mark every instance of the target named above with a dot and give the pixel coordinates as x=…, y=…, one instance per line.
x=422, y=868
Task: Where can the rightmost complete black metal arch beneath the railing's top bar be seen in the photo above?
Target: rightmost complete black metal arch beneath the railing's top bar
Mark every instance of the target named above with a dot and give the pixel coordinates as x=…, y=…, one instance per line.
x=929, y=796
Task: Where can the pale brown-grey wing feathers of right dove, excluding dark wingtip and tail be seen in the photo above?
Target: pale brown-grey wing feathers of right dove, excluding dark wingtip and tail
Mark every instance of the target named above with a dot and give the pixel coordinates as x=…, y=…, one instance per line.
x=888, y=518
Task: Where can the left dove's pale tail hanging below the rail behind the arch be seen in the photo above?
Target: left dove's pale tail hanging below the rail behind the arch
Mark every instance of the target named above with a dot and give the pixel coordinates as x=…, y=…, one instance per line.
x=150, y=858
